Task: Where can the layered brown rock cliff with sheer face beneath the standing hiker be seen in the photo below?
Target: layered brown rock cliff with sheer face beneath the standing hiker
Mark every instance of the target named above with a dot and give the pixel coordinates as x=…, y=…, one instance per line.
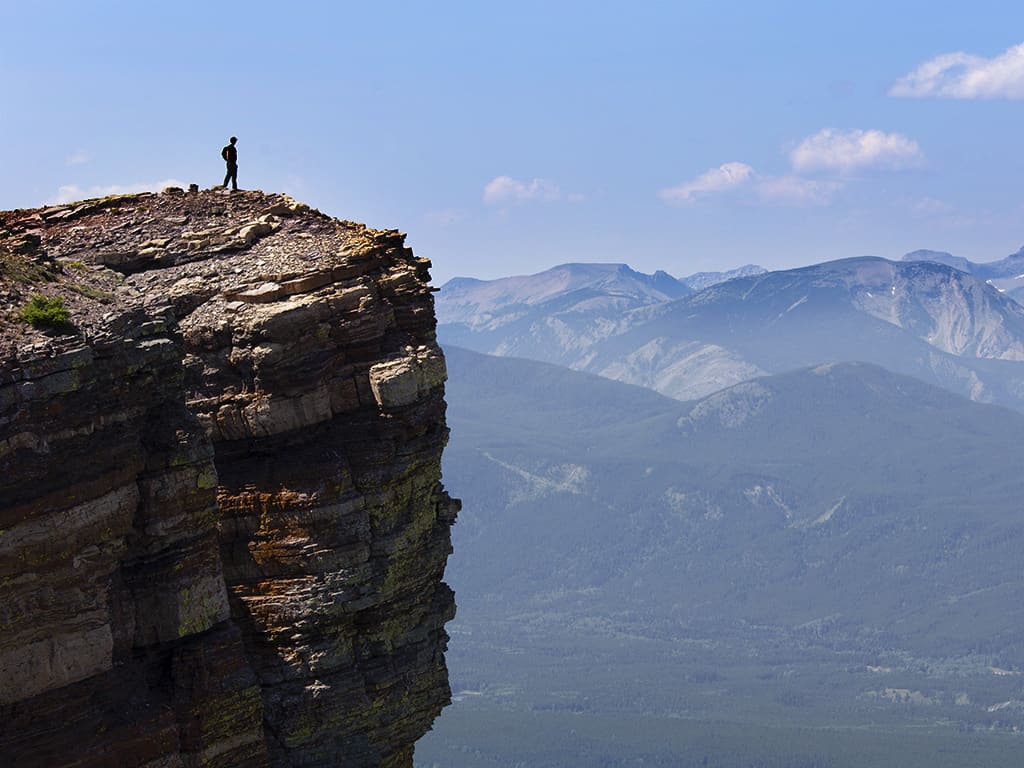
x=223, y=529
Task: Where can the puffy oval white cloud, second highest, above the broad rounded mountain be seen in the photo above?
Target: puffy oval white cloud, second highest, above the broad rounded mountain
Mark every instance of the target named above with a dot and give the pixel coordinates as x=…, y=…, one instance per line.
x=848, y=151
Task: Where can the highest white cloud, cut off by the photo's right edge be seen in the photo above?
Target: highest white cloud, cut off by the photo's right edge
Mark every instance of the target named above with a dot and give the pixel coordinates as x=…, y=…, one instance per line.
x=965, y=76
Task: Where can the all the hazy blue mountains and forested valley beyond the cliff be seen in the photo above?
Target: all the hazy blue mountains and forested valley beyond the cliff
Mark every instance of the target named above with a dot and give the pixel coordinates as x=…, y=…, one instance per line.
x=783, y=501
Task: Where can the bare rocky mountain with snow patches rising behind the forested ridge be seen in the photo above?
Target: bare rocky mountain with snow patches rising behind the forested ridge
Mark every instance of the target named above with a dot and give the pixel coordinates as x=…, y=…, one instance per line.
x=925, y=320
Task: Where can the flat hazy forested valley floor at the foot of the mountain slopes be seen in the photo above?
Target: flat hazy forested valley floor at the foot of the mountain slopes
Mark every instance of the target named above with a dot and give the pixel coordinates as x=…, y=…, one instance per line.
x=546, y=699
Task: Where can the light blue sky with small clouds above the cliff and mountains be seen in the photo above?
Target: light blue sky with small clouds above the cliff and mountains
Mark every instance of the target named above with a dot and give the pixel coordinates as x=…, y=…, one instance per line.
x=506, y=138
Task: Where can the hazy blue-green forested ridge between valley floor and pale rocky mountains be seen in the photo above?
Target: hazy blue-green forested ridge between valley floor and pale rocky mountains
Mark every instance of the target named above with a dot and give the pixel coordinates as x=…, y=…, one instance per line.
x=773, y=502
